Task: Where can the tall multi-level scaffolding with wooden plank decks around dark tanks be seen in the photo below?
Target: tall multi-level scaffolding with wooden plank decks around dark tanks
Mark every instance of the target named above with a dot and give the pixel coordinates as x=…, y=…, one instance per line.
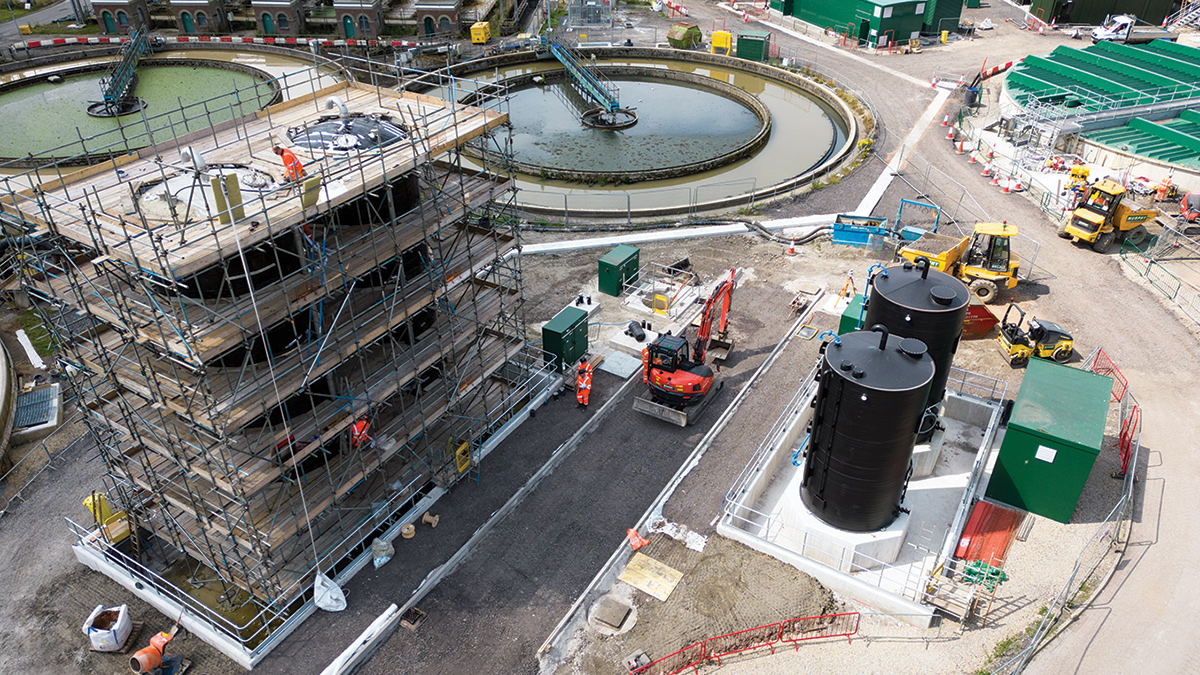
x=275, y=369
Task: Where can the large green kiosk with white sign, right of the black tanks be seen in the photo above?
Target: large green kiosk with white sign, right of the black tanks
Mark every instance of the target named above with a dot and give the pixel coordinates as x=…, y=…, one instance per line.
x=1054, y=435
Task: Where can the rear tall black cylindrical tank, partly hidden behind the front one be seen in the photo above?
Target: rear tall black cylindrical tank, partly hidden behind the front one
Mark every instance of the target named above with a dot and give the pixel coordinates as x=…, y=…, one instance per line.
x=914, y=301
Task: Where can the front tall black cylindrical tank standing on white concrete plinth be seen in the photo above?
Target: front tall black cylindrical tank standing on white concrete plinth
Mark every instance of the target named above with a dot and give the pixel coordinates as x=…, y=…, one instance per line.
x=871, y=399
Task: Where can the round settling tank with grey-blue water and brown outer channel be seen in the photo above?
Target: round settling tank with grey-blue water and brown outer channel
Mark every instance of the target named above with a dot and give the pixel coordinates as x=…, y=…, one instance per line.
x=562, y=166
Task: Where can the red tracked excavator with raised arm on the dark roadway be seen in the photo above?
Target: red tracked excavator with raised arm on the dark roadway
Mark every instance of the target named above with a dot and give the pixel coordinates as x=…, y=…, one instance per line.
x=682, y=387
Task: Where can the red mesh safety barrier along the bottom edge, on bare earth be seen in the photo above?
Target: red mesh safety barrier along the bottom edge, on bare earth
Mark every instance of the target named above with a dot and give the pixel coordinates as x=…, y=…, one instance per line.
x=794, y=631
